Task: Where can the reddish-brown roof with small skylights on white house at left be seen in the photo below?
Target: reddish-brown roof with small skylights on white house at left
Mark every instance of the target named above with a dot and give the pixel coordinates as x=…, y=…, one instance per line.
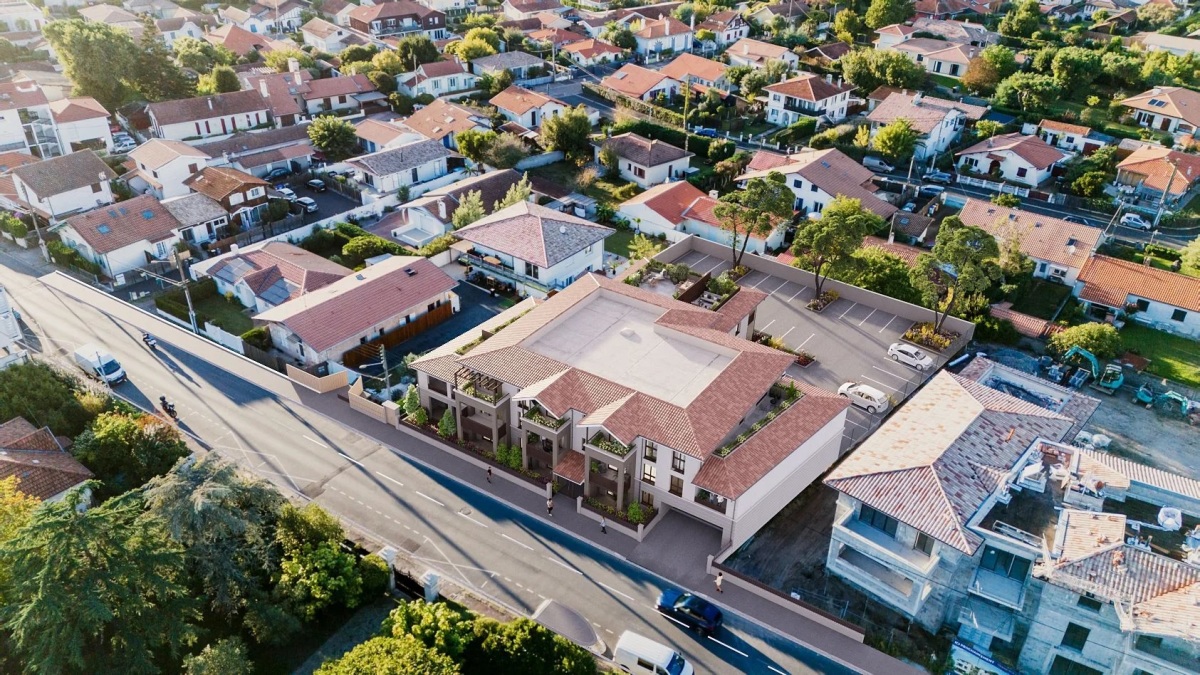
x=113, y=228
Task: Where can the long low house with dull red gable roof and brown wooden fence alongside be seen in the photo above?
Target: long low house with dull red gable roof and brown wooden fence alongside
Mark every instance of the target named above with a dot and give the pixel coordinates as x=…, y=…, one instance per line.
x=321, y=326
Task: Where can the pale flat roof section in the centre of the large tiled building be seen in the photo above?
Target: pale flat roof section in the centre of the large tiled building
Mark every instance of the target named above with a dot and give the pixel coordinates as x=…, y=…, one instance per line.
x=616, y=338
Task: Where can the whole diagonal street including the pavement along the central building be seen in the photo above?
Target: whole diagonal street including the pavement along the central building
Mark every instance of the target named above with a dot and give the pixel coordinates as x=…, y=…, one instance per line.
x=401, y=493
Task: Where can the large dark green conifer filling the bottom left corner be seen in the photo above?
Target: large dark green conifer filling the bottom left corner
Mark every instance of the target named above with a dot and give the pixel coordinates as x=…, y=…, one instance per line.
x=97, y=590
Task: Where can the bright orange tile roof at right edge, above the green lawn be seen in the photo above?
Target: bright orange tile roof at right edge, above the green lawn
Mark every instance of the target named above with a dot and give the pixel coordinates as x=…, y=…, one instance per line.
x=1112, y=282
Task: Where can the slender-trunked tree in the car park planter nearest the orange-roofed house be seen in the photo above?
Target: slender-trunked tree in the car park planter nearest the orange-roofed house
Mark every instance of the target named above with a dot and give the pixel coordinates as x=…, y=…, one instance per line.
x=754, y=212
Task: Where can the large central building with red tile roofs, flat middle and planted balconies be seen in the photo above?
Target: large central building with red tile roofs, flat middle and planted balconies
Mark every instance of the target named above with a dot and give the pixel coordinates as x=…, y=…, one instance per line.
x=626, y=396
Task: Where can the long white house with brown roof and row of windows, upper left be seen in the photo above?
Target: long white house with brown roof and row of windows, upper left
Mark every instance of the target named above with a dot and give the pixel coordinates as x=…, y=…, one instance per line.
x=220, y=115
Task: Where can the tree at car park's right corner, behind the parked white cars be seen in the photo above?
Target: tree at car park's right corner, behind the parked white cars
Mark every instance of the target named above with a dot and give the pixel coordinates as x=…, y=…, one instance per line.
x=964, y=262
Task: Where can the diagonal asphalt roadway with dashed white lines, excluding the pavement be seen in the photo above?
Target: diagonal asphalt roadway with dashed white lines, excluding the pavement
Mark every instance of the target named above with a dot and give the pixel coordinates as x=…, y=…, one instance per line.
x=458, y=530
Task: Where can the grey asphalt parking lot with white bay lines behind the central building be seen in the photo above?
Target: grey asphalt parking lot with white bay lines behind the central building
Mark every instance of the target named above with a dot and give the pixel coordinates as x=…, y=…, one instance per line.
x=849, y=341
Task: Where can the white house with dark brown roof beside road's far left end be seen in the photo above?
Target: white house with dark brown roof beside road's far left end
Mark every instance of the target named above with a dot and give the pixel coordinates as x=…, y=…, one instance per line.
x=61, y=187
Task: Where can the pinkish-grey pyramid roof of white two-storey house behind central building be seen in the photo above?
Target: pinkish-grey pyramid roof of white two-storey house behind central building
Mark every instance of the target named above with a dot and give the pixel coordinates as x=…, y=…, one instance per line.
x=535, y=234
